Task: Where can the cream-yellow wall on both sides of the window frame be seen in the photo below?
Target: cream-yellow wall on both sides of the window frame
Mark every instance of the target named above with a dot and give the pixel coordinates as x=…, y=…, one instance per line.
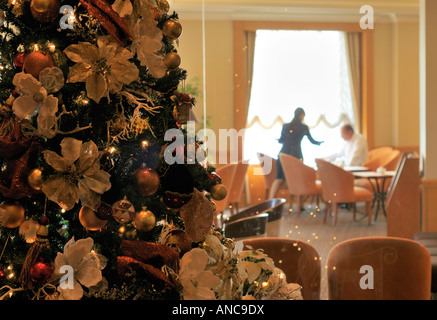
x=396, y=60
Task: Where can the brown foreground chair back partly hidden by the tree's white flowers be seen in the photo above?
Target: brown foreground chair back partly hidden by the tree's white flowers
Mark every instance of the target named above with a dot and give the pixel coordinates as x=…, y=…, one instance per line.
x=299, y=261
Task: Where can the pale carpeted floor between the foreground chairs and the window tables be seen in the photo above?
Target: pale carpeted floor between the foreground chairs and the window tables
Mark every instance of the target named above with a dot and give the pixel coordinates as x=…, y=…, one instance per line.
x=309, y=227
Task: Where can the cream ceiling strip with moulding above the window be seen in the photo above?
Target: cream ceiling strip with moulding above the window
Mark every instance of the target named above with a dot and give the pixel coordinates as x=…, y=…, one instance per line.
x=303, y=10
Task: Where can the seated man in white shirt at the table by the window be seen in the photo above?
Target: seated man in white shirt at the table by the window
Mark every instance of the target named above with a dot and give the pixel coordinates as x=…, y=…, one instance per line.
x=354, y=152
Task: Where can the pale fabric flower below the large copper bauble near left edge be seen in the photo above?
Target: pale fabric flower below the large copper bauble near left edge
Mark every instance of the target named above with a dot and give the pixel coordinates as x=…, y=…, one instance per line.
x=33, y=98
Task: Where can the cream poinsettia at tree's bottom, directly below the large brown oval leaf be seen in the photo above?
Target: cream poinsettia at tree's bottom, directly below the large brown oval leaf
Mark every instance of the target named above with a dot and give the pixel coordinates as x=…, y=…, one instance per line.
x=197, y=283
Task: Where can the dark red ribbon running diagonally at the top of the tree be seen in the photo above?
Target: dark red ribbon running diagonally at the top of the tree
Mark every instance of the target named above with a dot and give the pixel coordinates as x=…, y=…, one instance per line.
x=109, y=19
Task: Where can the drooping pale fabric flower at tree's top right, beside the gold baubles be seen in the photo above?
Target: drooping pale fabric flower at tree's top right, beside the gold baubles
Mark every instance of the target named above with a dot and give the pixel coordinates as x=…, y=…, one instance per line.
x=147, y=37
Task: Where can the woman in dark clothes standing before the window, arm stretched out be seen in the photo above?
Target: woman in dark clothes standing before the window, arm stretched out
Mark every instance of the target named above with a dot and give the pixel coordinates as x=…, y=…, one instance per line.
x=291, y=138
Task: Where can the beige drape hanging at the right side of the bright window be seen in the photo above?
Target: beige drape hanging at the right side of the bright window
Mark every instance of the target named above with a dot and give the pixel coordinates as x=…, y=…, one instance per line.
x=353, y=54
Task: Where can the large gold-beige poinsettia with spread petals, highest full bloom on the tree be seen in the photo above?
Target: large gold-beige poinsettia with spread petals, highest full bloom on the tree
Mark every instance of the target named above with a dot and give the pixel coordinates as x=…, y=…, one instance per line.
x=104, y=68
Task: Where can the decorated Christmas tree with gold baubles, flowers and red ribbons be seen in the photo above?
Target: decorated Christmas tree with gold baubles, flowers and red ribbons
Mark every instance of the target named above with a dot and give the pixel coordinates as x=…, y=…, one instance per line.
x=94, y=204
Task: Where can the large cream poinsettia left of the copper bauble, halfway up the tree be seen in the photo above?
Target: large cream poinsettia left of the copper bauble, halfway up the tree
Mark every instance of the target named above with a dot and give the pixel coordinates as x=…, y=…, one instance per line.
x=78, y=176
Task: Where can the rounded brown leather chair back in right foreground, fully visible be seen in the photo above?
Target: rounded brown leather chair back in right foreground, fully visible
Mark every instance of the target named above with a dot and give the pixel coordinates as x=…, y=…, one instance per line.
x=398, y=269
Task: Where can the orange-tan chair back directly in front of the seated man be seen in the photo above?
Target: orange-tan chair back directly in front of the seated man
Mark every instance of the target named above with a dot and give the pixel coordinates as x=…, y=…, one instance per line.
x=337, y=184
